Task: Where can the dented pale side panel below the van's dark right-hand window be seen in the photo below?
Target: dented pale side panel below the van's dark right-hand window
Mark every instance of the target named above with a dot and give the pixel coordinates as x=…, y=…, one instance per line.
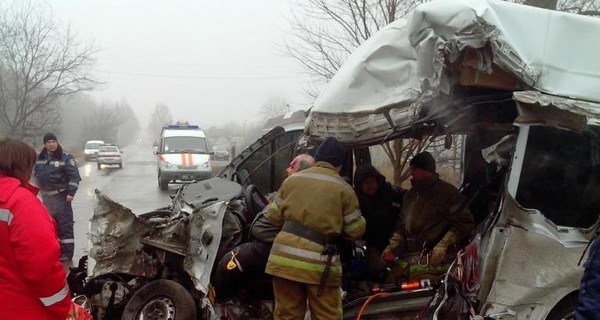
x=515, y=288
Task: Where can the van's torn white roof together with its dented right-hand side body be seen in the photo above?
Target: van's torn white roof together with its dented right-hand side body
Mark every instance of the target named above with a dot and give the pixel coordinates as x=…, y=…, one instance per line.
x=521, y=85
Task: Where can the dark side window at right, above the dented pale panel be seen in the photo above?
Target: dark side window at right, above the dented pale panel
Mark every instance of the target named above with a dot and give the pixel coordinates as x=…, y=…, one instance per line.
x=561, y=175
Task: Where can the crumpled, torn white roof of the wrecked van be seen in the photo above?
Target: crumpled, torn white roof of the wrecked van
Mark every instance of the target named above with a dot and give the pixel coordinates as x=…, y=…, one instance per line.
x=400, y=75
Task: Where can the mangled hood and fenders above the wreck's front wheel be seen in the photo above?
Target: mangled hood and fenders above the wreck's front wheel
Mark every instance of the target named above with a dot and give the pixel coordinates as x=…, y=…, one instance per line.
x=190, y=228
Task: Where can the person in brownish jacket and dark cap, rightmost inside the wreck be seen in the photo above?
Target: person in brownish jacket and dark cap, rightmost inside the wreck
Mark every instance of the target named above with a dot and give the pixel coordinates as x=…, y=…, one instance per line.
x=434, y=218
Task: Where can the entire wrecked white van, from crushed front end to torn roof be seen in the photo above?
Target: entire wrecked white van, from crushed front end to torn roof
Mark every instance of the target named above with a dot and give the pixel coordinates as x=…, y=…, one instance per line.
x=514, y=81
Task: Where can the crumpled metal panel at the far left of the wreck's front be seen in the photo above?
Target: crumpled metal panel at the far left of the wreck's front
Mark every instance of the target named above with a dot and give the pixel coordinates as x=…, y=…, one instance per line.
x=115, y=237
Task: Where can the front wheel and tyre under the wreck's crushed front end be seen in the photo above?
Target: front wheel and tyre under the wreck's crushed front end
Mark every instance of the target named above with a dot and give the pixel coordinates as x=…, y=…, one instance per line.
x=161, y=300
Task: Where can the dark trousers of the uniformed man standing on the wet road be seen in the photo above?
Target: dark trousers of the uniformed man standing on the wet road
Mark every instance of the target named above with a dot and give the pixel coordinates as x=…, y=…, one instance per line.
x=62, y=213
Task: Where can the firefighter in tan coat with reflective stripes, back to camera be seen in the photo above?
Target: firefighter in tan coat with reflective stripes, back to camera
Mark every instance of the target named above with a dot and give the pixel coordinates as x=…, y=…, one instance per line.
x=313, y=207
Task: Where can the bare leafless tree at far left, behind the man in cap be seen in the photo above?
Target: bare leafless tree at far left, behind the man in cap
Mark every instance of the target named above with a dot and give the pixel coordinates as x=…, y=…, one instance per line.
x=39, y=63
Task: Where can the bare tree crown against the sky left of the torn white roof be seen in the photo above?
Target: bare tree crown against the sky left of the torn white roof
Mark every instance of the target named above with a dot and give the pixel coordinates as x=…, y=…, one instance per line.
x=325, y=32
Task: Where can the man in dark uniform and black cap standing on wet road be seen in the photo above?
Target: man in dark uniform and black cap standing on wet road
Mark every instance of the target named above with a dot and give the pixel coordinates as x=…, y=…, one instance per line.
x=57, y=176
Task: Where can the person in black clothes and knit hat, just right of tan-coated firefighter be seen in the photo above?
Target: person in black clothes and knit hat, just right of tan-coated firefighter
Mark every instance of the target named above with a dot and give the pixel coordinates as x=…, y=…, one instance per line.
x=380, y=204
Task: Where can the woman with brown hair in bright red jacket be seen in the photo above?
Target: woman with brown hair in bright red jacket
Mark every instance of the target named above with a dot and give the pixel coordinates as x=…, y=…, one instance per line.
x=32, y=280
